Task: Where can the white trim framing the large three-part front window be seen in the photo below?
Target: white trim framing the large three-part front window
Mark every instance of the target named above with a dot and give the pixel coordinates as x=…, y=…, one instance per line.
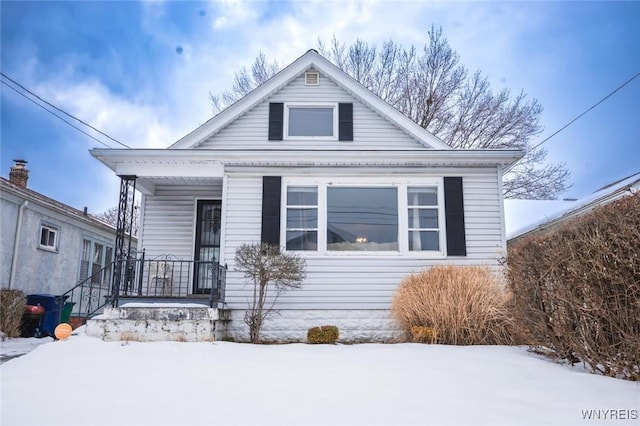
x=403, y=233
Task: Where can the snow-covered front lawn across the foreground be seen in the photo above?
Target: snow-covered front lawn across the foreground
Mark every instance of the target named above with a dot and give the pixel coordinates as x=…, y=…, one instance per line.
x=84, y=381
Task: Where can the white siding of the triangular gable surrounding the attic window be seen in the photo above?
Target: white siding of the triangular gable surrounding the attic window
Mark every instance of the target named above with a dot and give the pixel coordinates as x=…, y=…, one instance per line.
x=370, y=130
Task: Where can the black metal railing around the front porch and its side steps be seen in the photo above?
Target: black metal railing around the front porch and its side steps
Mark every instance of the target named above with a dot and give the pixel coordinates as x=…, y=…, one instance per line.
x=163, y=277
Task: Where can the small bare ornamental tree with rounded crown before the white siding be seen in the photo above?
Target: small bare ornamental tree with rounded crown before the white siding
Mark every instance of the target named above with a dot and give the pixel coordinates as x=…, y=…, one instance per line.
x=271, y=272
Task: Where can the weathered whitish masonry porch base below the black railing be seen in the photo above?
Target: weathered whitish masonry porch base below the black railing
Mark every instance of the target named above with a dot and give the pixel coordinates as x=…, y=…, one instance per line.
x=153, y=322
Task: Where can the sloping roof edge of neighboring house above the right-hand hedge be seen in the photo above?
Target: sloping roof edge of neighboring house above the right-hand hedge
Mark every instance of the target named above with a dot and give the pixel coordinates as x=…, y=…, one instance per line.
x=604, y=195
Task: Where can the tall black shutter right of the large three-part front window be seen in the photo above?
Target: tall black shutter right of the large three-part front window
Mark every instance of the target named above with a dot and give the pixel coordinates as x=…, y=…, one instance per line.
x=454, y=216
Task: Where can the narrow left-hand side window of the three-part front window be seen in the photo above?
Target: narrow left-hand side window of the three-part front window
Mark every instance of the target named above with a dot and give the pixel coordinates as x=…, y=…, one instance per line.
x=302, y=218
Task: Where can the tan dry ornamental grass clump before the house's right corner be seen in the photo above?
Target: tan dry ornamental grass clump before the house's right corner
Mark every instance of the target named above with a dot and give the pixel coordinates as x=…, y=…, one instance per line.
x=461, y=306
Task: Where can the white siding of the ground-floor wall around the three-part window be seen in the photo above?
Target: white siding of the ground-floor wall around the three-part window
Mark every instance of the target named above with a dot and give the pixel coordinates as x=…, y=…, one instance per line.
x=360, y=281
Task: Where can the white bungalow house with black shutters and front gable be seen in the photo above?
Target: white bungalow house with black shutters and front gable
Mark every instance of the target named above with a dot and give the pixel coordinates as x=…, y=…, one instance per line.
x=314, y=162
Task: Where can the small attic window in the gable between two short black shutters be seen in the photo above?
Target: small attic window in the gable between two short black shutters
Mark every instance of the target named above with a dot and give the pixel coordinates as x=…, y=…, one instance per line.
x=316, y=121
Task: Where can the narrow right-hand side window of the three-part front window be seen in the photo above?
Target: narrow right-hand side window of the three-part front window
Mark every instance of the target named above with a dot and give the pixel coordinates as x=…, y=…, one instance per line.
x=423, y=223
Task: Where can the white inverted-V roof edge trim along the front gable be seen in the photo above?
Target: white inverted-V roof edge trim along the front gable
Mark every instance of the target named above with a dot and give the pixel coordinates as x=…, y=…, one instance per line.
x=311, y=59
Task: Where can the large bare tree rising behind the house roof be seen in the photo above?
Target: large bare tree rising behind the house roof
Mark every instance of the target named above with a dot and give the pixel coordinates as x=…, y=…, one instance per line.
x=435, y=90
